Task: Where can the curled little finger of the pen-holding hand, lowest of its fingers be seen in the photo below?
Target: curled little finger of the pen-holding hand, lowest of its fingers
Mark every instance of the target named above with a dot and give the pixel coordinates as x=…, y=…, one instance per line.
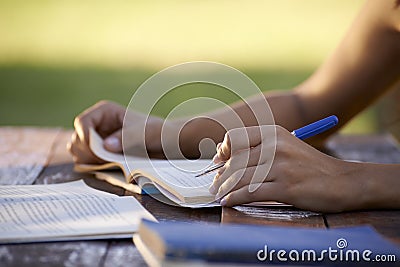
x=269, y=191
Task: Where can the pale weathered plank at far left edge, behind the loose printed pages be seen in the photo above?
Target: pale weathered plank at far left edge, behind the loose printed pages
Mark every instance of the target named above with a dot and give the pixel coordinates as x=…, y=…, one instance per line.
x=24, y=152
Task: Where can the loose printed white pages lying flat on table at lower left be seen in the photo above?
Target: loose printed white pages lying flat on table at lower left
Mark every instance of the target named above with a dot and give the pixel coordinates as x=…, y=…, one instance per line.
x=49, y=212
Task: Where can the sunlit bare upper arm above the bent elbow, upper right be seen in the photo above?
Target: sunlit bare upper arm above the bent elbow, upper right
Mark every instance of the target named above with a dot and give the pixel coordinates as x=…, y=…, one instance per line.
x=363, y=67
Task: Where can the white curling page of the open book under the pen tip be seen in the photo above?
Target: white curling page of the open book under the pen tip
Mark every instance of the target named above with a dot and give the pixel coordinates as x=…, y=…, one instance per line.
x=178, y=175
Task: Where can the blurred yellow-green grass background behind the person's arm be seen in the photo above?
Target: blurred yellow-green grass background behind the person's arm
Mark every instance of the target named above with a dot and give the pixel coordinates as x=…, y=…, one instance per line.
x=59, y=57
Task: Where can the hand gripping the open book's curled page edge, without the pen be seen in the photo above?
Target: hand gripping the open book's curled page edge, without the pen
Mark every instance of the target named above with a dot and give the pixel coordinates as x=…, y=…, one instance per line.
x=107, y=119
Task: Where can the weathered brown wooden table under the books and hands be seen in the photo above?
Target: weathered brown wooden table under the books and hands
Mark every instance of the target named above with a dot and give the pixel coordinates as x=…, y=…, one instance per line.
x=39, y=156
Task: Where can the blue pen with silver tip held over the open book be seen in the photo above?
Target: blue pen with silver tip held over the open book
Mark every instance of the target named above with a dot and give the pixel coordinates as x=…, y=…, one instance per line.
x=301, y=133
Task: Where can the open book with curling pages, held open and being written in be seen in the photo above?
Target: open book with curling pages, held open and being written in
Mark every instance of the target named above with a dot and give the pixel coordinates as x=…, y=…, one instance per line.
x=174, y=179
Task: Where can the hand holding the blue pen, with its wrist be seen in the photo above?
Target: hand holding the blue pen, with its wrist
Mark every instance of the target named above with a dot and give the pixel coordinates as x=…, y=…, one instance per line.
x=295, y=174
